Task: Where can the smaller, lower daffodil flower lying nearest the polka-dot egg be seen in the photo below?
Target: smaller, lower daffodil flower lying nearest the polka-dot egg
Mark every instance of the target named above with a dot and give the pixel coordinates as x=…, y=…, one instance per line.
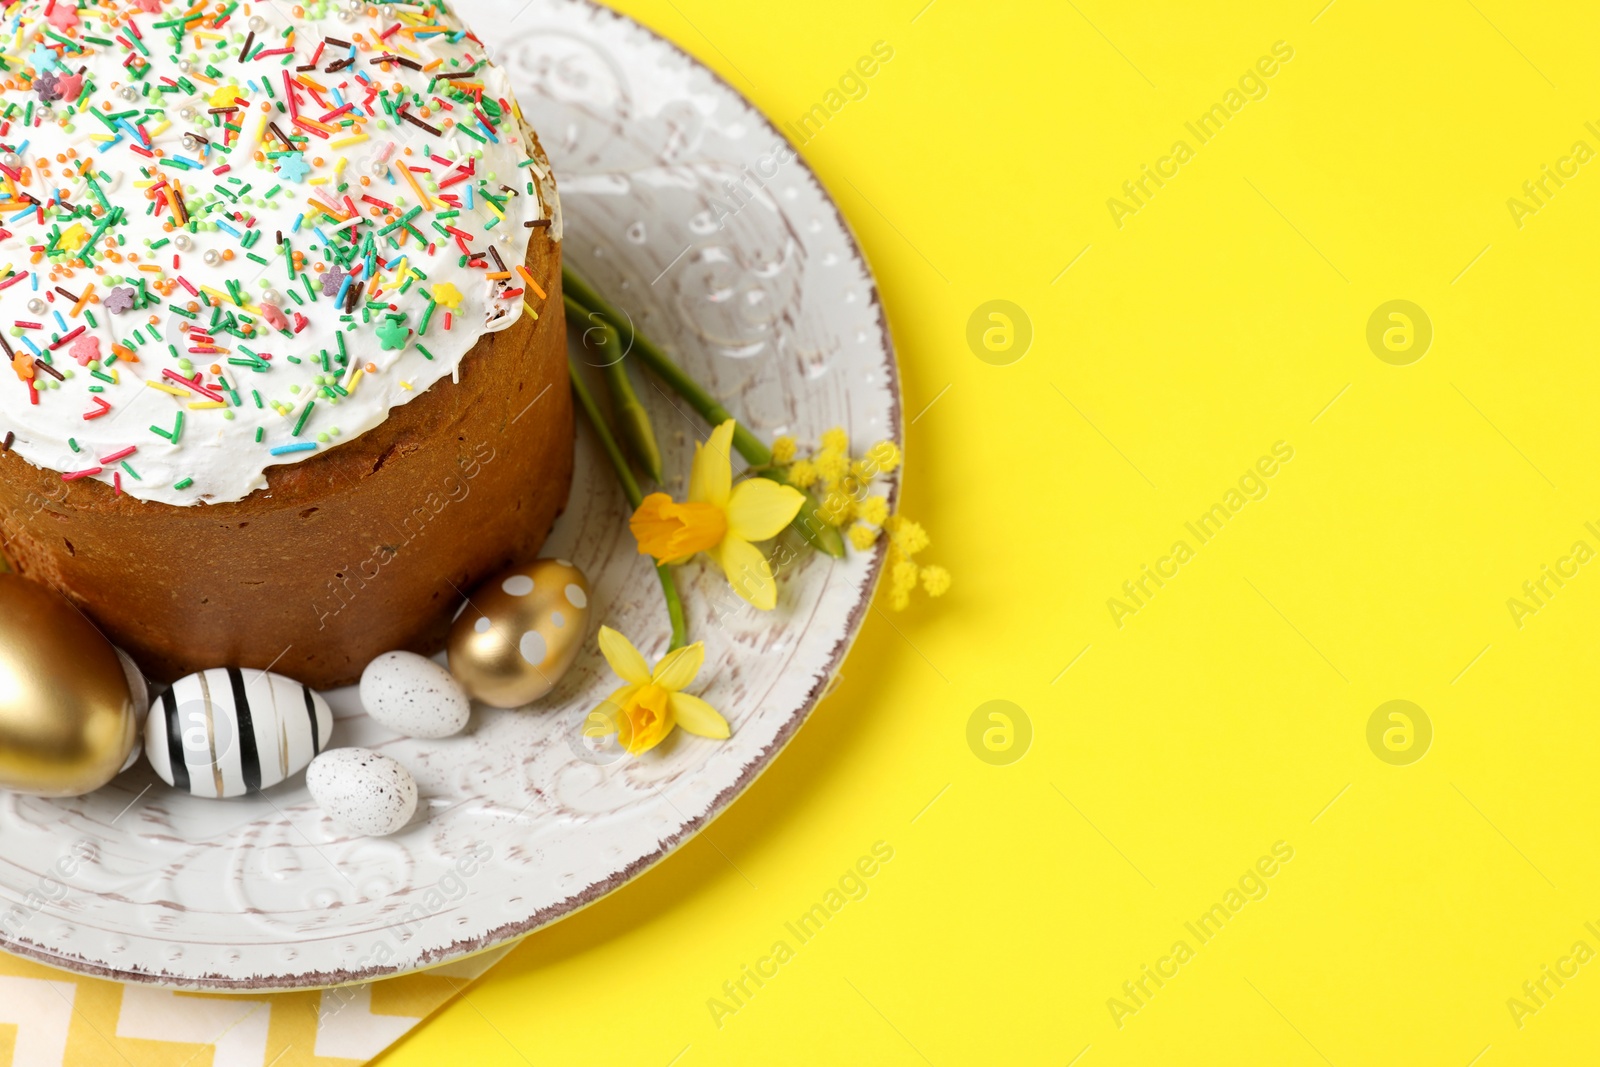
x=646, y=711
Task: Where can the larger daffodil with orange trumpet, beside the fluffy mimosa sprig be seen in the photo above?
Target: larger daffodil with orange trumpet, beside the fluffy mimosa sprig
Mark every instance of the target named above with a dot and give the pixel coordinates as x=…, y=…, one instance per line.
x=721, y=519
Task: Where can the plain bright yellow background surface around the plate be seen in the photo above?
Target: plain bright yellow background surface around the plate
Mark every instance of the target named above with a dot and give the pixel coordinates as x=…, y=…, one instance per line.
x=1233, y=709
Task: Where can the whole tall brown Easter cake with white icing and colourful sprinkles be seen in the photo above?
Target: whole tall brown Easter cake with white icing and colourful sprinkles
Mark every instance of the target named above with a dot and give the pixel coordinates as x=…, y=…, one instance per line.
x=282, y=353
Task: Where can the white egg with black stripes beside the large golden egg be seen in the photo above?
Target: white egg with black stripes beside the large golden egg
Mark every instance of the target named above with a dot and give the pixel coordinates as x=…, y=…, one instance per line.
x=230, y=732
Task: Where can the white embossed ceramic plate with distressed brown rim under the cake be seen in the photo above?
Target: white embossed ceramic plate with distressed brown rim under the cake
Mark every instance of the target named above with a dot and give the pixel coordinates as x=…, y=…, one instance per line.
x=770, y=305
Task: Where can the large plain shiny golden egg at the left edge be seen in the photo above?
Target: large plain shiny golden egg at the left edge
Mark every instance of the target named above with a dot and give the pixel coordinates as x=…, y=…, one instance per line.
x=70, y=703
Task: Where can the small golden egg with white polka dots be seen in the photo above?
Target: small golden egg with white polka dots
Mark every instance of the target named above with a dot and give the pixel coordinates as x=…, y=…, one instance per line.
x=519, y=633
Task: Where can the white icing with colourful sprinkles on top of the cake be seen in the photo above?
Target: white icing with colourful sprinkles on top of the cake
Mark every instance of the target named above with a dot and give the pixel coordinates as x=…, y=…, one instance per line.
x=345, y=114
